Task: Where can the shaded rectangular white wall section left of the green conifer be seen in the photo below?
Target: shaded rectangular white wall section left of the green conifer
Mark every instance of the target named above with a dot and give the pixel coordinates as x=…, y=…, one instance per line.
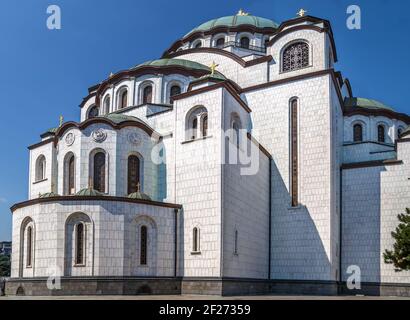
x=361, y=225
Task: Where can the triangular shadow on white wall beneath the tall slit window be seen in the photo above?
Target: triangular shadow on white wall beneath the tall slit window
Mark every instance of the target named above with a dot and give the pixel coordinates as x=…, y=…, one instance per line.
x=297, y=251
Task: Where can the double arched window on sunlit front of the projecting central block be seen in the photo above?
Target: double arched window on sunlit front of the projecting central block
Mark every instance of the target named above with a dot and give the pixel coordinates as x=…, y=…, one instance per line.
x=196, y=123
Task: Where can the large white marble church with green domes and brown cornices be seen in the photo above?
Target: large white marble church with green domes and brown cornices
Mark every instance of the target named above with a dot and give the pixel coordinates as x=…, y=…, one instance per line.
x=244, y=226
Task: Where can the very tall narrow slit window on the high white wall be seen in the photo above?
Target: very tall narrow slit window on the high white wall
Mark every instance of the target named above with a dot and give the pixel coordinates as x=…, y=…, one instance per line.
x=294, y=152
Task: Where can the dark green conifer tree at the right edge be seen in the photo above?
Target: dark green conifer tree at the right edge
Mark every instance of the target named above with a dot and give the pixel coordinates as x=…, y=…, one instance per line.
x=400, y=255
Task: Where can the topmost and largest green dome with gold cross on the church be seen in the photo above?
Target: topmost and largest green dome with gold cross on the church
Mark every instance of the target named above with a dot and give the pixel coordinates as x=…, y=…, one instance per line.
x=235, y=21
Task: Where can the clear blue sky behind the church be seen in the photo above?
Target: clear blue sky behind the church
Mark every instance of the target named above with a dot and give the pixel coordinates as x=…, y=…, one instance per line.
x=46, y=73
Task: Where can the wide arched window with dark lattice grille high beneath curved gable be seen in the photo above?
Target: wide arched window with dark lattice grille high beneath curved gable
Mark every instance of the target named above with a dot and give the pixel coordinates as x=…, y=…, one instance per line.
x=295, y=56
